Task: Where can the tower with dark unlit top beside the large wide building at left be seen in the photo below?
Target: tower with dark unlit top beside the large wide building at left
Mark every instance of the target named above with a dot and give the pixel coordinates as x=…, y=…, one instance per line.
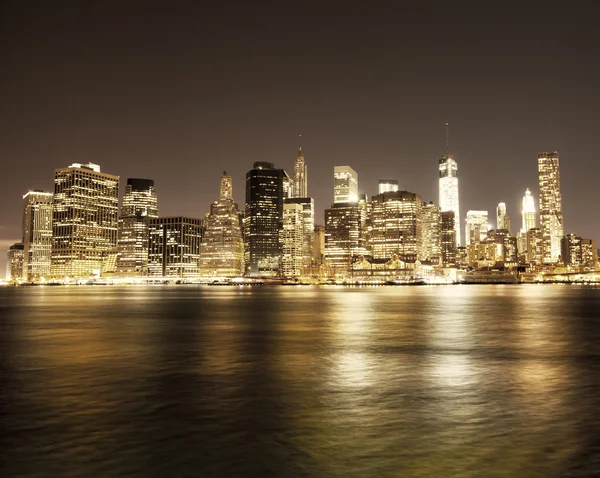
x=140, y=204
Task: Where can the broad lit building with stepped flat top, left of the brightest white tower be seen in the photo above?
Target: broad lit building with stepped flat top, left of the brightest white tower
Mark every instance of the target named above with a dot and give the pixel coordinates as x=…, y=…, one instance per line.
x=396, y=226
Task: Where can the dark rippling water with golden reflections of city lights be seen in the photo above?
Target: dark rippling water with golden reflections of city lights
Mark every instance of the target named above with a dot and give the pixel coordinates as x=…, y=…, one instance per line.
x=465, y=381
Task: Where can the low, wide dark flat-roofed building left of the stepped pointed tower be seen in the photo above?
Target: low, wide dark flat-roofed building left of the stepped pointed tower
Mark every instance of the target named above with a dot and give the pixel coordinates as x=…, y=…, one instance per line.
x=174, y=247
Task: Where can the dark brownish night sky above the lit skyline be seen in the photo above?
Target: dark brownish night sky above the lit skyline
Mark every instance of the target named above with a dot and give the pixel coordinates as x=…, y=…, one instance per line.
x=178, y=92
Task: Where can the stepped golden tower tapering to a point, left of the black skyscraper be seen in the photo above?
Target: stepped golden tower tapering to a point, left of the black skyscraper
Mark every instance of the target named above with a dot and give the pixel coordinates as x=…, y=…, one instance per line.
x=222, y=248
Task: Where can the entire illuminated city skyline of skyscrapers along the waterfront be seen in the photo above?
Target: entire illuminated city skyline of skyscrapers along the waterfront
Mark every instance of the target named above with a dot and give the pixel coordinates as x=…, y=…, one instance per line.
x=79, y=232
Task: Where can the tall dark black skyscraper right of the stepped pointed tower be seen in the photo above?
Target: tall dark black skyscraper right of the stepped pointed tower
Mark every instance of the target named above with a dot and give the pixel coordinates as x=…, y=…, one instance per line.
x=265, y=192
